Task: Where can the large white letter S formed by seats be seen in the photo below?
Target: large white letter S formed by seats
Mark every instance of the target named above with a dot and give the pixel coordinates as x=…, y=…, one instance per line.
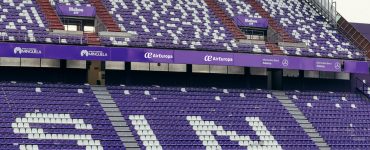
x=22, y=126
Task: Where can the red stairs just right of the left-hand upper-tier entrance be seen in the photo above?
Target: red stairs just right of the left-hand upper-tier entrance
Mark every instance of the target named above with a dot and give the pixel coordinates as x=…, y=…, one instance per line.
x=104, y=16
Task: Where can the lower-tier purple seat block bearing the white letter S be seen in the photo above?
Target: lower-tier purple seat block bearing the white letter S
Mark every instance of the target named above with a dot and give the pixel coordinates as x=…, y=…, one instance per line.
x=53, y=116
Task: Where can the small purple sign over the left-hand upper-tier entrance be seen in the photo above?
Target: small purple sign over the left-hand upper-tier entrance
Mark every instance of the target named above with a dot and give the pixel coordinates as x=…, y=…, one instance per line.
x=81, y=11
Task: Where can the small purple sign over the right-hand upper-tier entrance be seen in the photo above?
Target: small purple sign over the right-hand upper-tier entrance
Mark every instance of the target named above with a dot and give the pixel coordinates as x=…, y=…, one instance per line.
x=244, y=21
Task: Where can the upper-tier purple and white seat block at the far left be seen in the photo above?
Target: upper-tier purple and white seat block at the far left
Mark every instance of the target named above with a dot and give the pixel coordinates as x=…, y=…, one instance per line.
x=21, y=21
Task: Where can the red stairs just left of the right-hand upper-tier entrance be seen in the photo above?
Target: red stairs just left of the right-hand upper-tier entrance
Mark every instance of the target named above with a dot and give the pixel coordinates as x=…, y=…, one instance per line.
x=225, y=19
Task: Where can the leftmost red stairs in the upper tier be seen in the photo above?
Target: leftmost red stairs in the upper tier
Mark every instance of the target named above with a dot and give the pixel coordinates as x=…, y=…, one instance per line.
x=51, y=16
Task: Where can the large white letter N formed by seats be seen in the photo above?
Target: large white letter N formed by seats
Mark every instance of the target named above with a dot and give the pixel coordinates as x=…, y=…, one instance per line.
x=204, y=131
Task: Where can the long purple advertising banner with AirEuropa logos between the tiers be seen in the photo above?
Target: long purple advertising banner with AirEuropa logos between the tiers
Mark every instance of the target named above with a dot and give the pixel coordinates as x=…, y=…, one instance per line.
x=179, y=57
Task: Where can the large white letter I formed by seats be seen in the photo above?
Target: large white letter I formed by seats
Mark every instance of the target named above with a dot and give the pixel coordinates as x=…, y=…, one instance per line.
x=146, y=134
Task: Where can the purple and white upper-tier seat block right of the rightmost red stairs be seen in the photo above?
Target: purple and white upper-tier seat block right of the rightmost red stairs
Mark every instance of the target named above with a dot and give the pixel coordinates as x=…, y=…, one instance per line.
x=305, y=24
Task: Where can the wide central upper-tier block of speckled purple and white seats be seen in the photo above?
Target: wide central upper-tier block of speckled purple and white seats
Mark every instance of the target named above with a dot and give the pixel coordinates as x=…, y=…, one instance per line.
x=178, y=24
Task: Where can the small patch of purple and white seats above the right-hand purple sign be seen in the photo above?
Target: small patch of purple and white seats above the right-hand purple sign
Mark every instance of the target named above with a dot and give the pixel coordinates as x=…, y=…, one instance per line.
x=238, y=7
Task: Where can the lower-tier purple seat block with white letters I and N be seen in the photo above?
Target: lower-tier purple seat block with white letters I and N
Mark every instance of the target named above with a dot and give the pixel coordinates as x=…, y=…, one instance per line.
x=190, y=118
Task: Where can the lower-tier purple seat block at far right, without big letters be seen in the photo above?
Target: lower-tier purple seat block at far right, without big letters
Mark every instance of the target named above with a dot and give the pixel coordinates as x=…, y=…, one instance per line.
x=341, y=118
